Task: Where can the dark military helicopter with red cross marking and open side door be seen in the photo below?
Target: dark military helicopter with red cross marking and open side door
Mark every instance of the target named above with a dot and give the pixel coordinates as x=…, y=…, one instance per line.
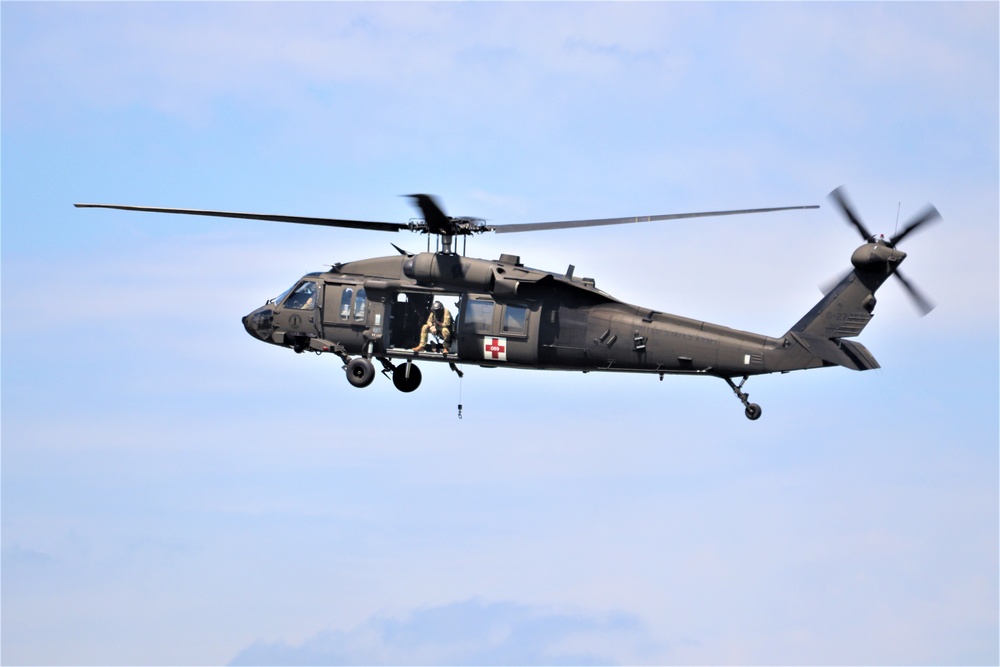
x=386, y=310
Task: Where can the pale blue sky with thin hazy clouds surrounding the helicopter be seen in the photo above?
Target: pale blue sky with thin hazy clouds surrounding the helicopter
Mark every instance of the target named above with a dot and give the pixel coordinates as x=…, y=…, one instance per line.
x=174, y=492
